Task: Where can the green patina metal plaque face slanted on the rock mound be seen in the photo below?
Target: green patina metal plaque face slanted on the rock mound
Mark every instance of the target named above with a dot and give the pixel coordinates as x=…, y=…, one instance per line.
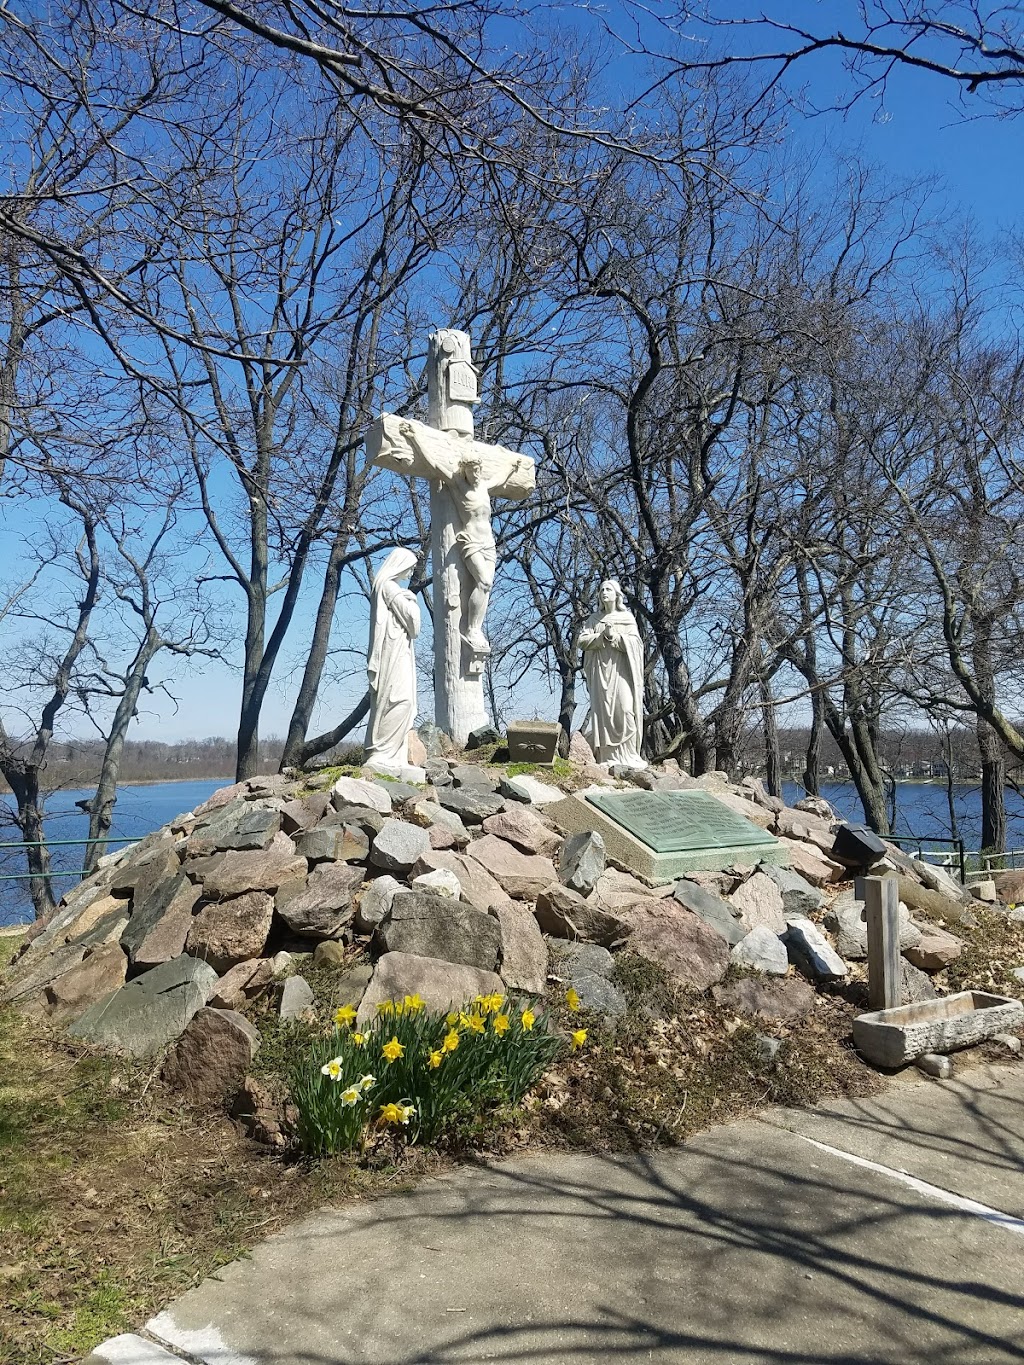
x=678, y=822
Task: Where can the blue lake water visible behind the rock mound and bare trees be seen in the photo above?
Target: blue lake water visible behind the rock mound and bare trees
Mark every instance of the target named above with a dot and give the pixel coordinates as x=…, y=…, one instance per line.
x=921, y=810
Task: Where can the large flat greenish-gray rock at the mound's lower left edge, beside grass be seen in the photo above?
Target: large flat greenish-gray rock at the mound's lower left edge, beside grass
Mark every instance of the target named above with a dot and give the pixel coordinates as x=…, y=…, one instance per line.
x=151, y=1012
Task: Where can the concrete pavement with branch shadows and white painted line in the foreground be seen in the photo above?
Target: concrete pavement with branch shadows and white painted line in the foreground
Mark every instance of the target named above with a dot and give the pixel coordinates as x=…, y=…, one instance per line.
x=750, y=1244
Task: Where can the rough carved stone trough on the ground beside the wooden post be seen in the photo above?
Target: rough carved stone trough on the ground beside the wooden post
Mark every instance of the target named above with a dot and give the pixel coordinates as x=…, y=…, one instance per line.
x=896, y=1037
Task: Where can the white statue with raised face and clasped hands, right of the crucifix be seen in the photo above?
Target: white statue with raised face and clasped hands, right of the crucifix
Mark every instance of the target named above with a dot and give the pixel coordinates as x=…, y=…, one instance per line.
x=614, y=668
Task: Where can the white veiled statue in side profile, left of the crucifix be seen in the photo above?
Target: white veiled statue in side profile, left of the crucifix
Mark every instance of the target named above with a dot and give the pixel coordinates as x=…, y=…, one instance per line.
x=393, y=665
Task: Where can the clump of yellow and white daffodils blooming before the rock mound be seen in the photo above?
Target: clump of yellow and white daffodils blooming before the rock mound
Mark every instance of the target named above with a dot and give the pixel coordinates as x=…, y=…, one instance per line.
x=420, y=1072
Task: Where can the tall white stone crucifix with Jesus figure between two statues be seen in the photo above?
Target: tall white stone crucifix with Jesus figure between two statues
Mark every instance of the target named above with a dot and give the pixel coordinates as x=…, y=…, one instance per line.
x=465, y=474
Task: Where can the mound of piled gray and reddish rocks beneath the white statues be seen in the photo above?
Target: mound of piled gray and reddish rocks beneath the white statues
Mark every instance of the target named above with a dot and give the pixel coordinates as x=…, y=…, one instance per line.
x=457, y=888
